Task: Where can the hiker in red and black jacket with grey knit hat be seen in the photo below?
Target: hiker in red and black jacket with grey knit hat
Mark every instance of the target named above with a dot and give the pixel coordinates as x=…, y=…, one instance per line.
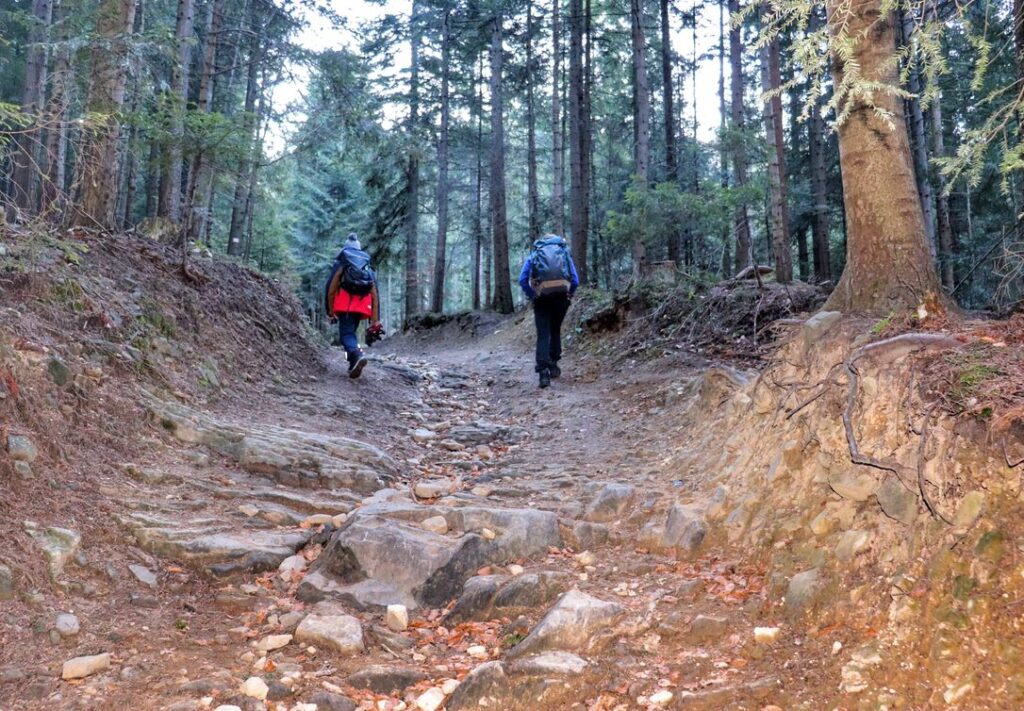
x=352, y=297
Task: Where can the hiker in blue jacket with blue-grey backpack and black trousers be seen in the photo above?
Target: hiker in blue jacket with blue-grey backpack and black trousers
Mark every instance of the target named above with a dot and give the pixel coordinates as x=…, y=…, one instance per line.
x=549, y=279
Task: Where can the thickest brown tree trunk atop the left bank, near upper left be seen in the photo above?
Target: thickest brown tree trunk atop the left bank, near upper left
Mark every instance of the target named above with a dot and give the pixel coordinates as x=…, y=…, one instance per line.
x=107, y=93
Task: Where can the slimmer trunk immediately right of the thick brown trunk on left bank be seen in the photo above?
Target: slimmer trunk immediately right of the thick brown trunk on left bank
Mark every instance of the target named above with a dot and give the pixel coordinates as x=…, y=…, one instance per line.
x=170, y=187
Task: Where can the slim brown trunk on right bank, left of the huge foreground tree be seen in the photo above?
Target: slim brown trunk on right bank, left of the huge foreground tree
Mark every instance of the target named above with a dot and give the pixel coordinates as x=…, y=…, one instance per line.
x=772, y=81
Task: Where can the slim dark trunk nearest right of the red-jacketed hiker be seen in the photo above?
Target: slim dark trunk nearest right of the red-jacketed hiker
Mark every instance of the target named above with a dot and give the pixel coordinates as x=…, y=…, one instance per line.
x=413, y=175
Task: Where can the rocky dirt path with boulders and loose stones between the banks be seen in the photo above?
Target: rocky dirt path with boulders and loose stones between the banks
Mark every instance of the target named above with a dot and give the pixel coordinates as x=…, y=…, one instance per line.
x=475, y=545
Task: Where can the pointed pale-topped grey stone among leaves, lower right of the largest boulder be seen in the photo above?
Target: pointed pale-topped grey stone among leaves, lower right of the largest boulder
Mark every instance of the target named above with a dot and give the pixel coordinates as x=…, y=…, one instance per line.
x=577, y=623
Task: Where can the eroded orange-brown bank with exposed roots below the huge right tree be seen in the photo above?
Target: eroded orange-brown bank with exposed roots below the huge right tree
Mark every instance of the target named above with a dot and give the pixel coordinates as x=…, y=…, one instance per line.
x=877, y=509
